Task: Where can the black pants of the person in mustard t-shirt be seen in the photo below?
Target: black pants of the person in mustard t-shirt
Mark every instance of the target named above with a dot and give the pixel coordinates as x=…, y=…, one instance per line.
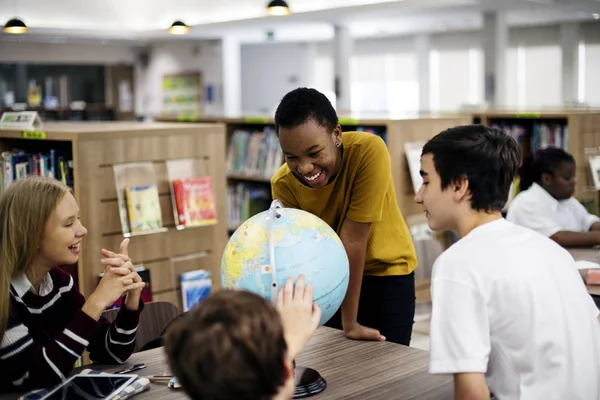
x=387, y=303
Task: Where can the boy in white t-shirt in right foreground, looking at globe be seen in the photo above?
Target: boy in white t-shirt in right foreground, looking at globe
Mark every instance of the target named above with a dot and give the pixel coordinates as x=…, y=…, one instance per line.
x=510, y=311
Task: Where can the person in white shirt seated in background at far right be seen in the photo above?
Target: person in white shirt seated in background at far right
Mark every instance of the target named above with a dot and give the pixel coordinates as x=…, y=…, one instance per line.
x=546, y=203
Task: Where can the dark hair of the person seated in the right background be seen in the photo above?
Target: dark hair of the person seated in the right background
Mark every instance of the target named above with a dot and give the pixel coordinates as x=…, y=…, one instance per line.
x=541, y=162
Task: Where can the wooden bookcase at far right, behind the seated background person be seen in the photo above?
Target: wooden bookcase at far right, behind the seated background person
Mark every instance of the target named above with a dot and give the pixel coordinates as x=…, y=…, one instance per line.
x=583, y=137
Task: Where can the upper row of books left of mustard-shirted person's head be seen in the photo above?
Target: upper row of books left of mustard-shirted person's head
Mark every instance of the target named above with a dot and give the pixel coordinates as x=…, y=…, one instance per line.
x=256, y=153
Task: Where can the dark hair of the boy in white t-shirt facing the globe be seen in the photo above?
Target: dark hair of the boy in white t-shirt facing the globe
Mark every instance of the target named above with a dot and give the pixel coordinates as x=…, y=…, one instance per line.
x=487, y=157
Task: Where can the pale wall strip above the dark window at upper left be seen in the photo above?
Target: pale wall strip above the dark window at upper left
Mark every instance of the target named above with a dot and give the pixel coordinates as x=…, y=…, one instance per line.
x=66, y=53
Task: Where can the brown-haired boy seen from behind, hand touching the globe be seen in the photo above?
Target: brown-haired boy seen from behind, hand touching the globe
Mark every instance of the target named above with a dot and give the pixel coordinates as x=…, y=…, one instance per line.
x=236, y=345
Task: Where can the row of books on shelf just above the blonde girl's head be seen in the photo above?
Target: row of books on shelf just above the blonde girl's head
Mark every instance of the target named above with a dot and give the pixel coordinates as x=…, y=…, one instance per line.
x=19, y=164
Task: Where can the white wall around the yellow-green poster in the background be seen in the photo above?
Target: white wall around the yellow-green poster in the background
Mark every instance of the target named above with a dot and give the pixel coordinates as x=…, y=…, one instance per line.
x=172, y=58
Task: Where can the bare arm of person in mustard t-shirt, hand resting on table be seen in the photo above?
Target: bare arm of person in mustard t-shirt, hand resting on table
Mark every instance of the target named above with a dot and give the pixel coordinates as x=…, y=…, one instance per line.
x=354, y=236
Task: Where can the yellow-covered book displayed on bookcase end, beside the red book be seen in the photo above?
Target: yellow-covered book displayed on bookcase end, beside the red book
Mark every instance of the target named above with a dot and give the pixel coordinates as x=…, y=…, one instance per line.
x=143, y=208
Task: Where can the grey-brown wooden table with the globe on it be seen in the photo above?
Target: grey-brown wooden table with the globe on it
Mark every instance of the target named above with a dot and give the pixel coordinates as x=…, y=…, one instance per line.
x=352, y=369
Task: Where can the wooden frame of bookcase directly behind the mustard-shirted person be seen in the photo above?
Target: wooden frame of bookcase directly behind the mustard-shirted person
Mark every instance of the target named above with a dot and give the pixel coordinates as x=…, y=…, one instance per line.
x=396, y=133
